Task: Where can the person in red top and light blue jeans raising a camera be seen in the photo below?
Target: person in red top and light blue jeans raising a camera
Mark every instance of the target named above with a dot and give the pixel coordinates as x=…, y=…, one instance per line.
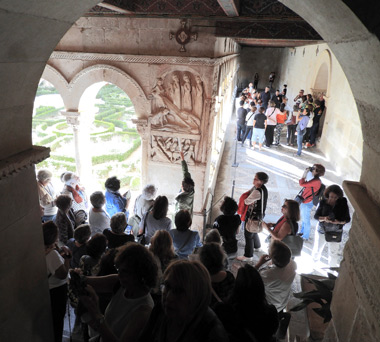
x=310, y=188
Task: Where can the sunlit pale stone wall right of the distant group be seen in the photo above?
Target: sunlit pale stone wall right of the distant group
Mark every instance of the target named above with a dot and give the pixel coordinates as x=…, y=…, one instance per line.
x=342, y=139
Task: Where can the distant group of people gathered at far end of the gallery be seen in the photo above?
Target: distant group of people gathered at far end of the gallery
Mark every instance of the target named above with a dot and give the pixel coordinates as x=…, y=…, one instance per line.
x=261, y=117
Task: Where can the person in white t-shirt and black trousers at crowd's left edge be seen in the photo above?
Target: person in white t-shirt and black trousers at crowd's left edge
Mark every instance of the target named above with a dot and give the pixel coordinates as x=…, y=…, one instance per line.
x=58, y=264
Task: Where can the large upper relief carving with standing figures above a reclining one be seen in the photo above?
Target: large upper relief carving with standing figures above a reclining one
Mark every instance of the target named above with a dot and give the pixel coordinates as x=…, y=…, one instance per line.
x=172, y=103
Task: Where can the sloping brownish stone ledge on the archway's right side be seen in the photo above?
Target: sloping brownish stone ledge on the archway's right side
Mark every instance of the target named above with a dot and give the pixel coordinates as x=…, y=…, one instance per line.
x=365, y=207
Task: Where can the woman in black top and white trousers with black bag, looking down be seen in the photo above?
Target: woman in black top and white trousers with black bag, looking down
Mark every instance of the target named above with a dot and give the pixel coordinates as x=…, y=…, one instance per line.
x=332, y=214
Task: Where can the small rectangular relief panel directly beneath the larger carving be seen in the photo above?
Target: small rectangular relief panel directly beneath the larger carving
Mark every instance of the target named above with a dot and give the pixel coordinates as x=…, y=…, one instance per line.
x=167, y=149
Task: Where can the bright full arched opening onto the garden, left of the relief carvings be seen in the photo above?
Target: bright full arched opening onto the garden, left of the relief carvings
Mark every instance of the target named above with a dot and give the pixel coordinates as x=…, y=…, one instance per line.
x=111, y=143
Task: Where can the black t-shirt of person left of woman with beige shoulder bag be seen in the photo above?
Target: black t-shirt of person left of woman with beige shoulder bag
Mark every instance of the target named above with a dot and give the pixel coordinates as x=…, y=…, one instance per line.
x=227, y=227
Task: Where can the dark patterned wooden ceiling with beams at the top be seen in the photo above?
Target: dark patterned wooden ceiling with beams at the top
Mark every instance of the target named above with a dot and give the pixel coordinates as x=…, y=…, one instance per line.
x=249, y=22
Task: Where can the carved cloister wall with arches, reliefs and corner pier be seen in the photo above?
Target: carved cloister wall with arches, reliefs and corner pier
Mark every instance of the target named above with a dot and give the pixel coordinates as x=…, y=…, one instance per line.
x=95, y=50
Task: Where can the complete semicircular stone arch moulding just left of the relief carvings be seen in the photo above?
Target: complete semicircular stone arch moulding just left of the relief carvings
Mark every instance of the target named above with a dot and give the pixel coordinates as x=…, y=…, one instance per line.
x=107, y=73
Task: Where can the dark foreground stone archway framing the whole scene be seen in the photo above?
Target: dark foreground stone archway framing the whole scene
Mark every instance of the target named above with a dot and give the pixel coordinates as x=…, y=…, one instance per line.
x=24, y=54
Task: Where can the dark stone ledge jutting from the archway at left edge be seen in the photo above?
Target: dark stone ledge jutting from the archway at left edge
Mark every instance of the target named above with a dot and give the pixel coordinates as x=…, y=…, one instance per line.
x=23, y=160
